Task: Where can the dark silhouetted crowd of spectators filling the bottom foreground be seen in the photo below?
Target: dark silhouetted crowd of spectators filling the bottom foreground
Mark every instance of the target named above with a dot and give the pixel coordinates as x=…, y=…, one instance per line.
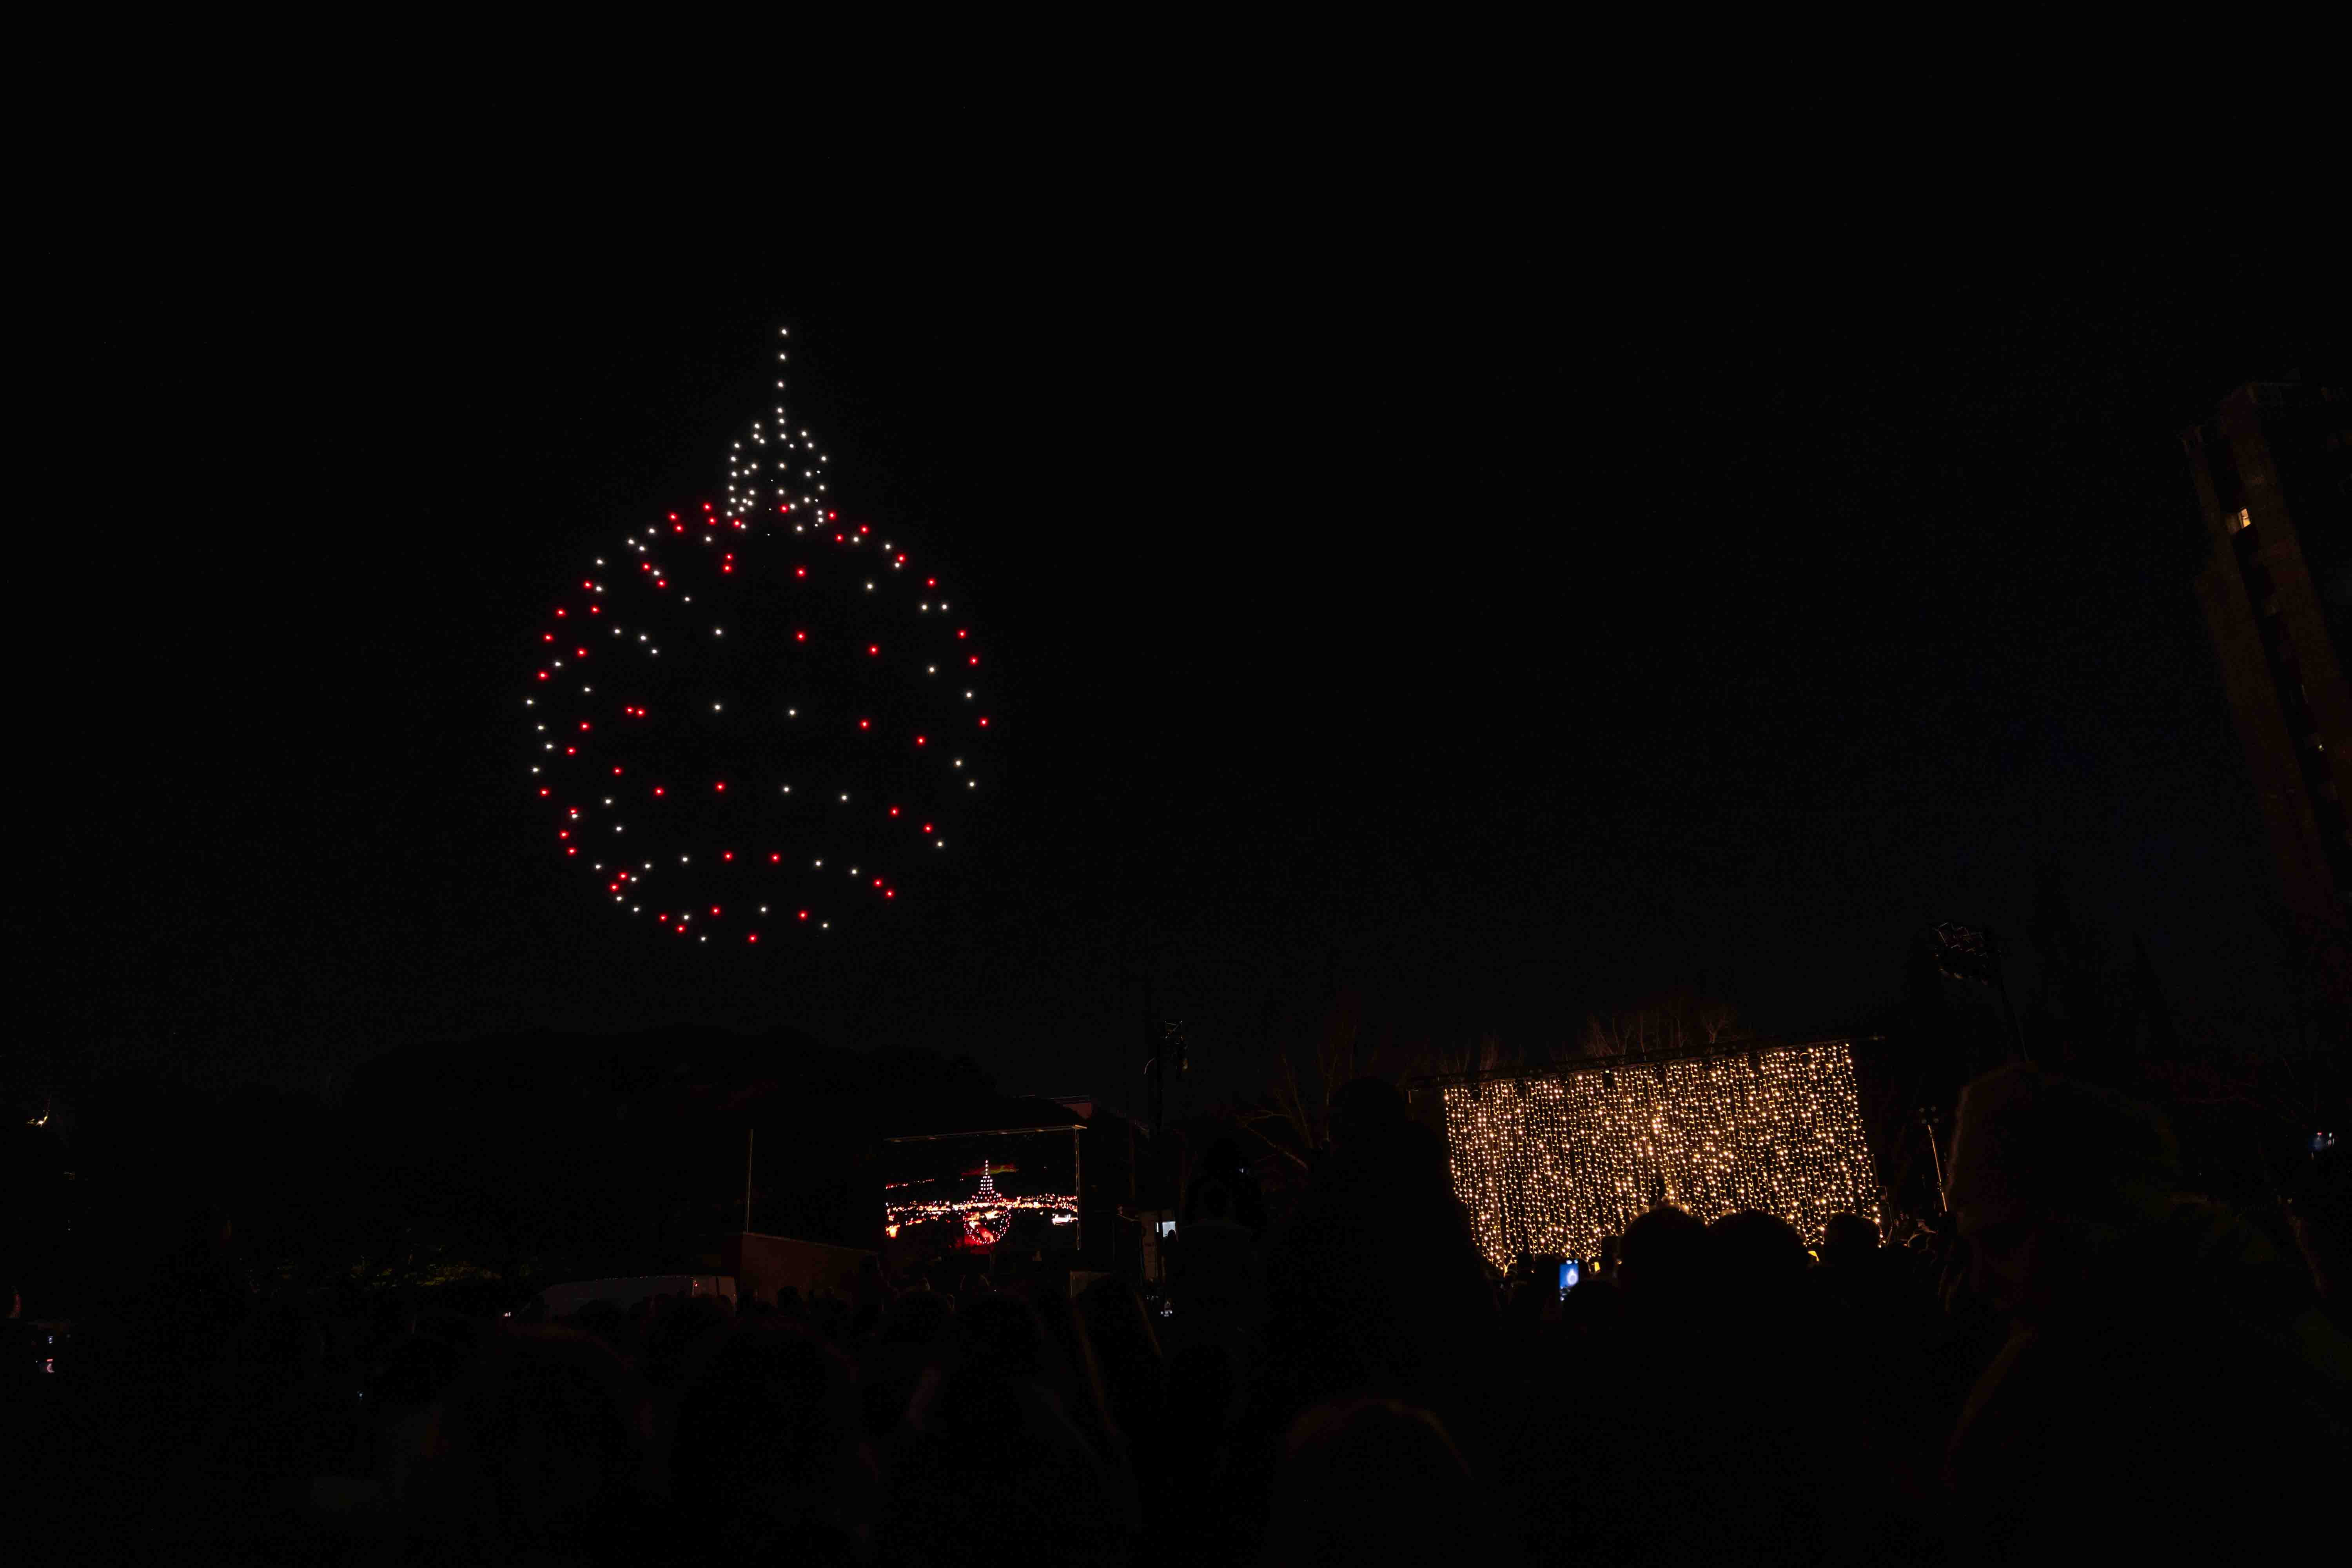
x=2078, y=1360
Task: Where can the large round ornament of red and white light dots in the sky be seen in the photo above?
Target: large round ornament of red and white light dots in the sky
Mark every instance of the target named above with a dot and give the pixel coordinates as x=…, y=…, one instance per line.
x=751, y=723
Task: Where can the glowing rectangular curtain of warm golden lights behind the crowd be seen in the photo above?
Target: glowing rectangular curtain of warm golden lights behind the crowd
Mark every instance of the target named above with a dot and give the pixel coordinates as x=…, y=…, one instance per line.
x=1551, y=1165
